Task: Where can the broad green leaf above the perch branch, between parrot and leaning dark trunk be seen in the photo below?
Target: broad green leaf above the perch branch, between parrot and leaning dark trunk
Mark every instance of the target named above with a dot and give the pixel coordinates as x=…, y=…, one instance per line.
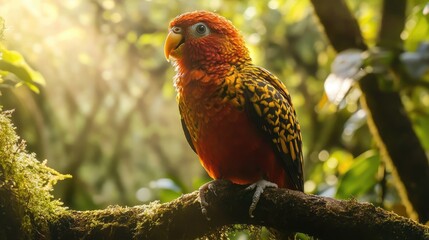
x=361, y=176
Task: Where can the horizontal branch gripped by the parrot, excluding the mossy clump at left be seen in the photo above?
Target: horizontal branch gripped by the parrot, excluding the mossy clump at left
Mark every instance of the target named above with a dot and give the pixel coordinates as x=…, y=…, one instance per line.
x=278, y=208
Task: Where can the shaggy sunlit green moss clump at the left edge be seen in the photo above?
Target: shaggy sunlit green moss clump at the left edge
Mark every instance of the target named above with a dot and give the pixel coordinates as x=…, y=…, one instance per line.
x=26, y=202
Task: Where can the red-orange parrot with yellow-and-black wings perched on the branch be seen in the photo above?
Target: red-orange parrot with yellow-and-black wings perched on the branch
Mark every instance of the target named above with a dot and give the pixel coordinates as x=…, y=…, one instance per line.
x=236, y=116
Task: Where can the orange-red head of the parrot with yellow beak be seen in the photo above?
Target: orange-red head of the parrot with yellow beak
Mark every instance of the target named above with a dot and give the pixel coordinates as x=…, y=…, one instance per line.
x=204, y=40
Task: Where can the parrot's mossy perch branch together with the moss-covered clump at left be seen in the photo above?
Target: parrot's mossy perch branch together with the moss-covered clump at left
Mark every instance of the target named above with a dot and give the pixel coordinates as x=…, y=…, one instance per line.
x=29, y=211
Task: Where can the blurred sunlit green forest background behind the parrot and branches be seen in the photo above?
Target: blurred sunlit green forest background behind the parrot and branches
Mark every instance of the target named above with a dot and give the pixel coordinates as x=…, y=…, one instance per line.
x=107, y=113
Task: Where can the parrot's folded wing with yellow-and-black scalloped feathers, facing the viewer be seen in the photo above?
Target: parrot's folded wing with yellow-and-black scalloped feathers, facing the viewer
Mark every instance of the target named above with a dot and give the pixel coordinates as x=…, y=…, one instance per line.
x=269, y=106
